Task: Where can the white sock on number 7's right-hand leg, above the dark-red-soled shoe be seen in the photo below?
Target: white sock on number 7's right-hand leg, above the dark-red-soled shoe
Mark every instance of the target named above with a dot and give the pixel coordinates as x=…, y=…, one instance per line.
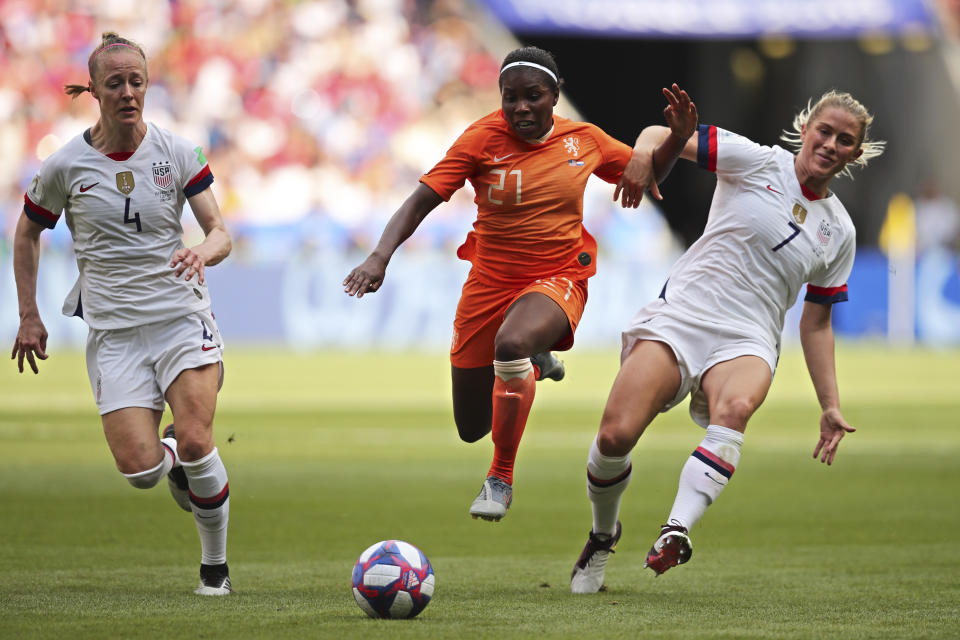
x=705, y=474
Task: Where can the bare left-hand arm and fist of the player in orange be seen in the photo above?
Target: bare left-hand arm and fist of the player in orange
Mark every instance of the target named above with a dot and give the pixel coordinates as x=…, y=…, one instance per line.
x=369, y=275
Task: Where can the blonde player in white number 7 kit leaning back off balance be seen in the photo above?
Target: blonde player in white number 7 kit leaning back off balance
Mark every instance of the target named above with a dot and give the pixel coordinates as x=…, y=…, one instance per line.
x=714, y=331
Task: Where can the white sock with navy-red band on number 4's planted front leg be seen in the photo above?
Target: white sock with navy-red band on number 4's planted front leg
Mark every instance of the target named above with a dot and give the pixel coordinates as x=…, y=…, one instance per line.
x=210, y=499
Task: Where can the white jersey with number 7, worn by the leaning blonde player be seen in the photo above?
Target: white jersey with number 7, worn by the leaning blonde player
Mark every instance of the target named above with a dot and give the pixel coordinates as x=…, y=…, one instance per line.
x=765, y=237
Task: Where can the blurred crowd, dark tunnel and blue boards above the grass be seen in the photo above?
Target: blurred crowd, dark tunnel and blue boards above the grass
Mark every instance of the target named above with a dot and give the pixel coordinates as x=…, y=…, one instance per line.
x=319, y=116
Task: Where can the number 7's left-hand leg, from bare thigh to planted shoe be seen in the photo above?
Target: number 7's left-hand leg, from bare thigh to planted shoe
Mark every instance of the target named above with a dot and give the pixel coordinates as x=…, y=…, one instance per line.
x=648, y=379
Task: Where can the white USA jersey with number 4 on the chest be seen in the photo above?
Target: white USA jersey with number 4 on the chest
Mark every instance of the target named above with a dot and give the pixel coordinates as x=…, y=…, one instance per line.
x=124, y=215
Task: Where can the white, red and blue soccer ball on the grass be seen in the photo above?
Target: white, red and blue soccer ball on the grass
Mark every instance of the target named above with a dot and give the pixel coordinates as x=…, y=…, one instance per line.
x=392, y=579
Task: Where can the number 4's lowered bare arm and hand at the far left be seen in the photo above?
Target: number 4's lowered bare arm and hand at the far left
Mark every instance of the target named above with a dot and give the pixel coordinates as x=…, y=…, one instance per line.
x=31, y=341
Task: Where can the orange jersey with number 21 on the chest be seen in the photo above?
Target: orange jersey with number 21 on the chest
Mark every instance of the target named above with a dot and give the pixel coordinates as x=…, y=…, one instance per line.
x=529, y=196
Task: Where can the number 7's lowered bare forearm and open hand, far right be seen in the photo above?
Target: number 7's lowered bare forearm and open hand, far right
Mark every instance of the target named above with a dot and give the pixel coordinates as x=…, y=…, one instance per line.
x=816, y=338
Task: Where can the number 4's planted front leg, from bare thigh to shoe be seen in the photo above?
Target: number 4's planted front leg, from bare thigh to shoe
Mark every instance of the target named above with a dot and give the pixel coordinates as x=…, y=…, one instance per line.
x=193, y=399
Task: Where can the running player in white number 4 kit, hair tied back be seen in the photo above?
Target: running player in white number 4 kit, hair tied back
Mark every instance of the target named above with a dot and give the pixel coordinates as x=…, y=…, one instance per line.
x=152, y=338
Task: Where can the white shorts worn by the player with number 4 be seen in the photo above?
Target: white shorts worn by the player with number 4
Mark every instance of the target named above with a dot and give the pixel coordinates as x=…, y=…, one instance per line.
x=133, y=367
